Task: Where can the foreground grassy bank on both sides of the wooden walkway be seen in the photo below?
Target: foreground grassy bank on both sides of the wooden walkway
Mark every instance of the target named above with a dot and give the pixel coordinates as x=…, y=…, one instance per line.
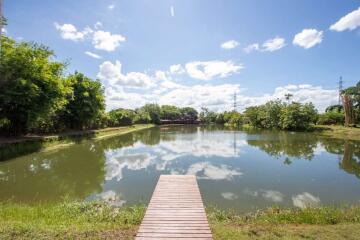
x=101, y=221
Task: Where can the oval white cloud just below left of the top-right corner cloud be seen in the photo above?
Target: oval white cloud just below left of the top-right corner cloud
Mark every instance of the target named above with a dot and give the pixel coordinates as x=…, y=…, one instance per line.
x=308, y=38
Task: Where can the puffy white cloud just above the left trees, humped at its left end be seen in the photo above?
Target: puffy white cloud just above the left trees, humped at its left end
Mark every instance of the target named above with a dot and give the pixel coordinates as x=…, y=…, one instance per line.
x=111, y=75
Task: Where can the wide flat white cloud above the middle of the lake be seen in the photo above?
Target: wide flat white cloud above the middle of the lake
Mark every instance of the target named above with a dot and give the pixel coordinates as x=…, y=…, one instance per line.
x=210, y=69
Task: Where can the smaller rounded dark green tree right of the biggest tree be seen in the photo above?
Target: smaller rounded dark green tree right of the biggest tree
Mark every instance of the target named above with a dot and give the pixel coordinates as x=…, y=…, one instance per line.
x=85, y=104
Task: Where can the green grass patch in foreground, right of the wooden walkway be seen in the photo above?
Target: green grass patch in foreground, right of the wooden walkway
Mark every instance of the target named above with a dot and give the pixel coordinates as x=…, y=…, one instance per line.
x=311, y=223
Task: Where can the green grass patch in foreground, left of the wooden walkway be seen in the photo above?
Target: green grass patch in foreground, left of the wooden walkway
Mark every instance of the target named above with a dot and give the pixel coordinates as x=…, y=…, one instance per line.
x=68, y=221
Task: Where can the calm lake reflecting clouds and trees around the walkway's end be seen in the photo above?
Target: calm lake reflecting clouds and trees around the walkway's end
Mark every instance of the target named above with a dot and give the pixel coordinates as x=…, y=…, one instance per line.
x=243, y=170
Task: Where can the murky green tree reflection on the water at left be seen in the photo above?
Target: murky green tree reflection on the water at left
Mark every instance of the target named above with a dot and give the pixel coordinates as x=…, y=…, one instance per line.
x=73, y=172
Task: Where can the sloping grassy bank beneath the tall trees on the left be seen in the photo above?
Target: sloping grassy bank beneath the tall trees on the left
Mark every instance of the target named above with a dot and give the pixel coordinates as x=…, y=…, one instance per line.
x=12, y=147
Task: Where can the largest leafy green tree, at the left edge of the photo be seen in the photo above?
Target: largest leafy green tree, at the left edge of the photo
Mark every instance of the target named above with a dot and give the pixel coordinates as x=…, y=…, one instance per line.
x=31, y=84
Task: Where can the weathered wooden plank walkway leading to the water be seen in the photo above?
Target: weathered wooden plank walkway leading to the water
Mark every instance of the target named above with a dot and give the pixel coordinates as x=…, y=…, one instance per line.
x=175, y=211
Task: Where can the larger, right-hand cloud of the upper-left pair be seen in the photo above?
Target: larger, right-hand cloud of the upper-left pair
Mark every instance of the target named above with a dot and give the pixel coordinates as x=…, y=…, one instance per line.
x=107, y=41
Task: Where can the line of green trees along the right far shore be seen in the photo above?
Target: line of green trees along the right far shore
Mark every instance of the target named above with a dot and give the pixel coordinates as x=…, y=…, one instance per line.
x=290, y=116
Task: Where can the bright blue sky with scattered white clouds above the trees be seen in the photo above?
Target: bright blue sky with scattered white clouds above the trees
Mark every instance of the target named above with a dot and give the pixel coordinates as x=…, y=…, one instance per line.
x=258, y=49
